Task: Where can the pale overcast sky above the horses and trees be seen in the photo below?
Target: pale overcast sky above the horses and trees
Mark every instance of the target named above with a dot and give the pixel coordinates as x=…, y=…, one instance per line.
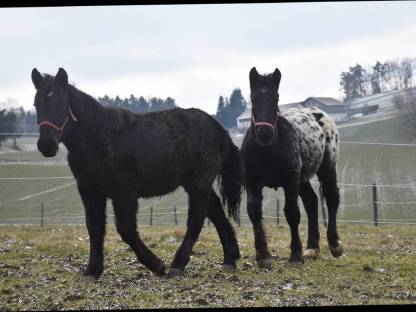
x=195, y=53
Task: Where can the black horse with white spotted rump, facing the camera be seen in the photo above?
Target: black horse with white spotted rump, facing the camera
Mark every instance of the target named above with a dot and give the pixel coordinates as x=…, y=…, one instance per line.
x=286, y=151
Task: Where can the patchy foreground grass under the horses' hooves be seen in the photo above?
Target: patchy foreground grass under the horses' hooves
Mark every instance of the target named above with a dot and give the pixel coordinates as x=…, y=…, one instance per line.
x=40, y=269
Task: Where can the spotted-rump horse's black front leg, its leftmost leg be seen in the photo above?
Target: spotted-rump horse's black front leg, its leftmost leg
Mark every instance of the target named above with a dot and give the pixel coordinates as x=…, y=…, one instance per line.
x=254, y=211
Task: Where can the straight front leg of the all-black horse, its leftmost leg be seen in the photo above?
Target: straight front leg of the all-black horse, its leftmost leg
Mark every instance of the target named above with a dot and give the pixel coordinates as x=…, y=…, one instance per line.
x=95, y=219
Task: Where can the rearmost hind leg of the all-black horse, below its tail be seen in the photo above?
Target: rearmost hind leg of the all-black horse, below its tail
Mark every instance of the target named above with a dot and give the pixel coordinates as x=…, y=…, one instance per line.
x=225, y=231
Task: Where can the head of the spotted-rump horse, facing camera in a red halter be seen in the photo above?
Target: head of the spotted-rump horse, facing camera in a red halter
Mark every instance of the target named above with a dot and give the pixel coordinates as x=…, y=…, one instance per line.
x=264, y=99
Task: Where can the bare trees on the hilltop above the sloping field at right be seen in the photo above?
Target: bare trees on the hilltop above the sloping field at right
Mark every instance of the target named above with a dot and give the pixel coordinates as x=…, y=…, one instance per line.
x=381, y=77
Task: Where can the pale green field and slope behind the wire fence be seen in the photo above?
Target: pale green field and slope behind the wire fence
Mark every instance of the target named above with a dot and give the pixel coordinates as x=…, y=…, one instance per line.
x=358, y=164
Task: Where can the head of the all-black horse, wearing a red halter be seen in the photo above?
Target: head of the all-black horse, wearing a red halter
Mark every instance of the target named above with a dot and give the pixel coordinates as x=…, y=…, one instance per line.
x=52, y=109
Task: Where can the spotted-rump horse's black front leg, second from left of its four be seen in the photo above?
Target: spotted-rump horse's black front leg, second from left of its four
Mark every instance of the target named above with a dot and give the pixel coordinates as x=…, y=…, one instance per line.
x=292, y=214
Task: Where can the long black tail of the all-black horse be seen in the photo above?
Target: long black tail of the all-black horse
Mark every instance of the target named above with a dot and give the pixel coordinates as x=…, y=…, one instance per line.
x=230, y=180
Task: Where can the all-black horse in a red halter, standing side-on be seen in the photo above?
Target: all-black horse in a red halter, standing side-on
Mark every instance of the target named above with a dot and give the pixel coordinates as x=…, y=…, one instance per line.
x=114, y=153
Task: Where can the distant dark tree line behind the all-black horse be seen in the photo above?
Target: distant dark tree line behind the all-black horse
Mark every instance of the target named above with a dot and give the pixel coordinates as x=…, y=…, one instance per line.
x=18, y=120
